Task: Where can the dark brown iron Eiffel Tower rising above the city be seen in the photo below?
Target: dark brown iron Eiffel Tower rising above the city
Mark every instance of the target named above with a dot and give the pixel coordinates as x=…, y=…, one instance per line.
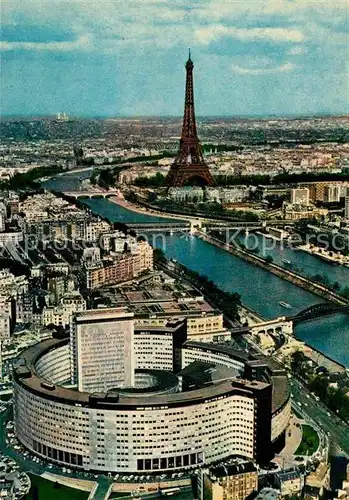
x=189, y=167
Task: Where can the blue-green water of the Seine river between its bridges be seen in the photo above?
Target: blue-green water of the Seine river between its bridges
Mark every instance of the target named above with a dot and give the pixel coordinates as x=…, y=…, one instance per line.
x=259, y=289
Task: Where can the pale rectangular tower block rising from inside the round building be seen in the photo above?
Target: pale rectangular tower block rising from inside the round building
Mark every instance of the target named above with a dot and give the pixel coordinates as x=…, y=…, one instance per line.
x=102, y=349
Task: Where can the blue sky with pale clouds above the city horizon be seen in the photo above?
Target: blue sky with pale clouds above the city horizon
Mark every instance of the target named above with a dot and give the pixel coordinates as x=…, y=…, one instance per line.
x=126, y=57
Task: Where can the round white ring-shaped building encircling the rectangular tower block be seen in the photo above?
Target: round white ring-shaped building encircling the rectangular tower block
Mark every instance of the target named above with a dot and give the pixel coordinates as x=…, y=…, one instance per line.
x=203, y=414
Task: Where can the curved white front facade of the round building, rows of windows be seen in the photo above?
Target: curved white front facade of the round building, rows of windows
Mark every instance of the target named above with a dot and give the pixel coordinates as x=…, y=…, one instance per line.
x=135, y=440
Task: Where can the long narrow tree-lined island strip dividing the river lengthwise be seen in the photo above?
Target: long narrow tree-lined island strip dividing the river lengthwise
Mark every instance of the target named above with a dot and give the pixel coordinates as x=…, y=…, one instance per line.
x=296, y=279
